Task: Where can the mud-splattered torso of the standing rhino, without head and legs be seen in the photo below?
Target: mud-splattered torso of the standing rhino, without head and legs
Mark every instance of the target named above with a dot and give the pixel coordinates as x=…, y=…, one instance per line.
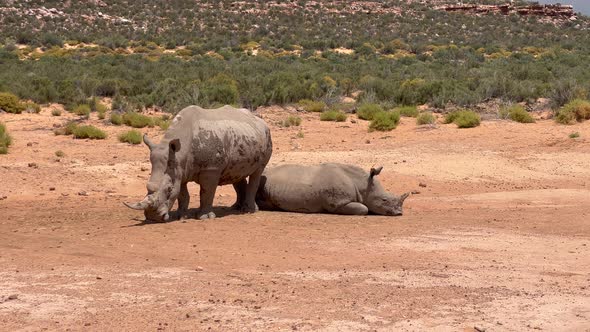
x=232, y=140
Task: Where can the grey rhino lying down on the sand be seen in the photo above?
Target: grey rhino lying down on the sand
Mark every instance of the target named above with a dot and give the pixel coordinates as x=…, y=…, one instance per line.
x=332, y=188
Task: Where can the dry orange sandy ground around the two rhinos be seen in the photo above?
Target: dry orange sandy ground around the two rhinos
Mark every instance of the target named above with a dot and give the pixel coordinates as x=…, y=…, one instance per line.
x=497, y=239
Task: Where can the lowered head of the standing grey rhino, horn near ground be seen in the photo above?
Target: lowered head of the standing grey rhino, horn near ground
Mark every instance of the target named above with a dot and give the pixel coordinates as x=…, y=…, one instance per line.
x=164, y=184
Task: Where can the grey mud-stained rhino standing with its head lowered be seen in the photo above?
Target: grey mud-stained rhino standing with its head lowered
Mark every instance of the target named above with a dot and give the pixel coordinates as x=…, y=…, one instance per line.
x=211, y=147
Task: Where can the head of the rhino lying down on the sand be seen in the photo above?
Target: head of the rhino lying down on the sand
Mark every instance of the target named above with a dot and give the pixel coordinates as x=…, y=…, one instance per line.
x=381, y=202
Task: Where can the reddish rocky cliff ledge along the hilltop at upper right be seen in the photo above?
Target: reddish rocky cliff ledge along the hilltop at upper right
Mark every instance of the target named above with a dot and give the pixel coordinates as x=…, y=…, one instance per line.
x=553, y=11
